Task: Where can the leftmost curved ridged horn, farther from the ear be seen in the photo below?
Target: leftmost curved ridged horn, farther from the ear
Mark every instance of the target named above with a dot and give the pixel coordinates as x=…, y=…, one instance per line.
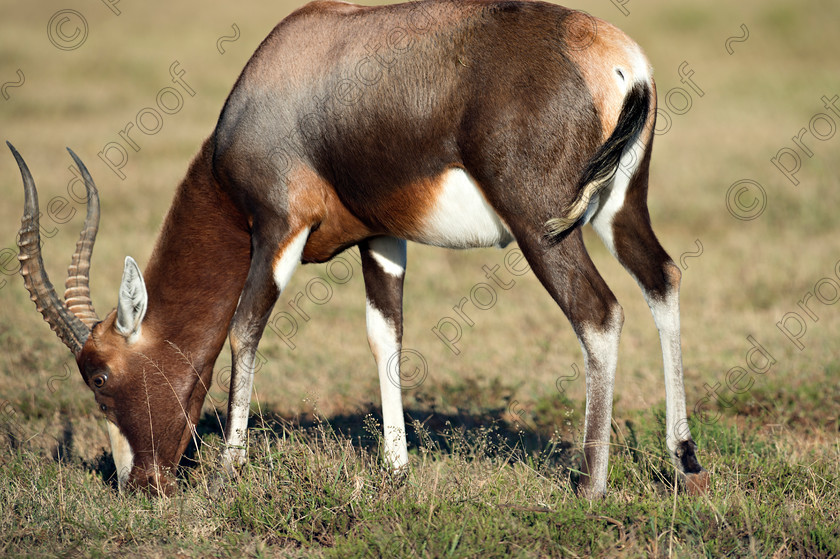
x=72, y=331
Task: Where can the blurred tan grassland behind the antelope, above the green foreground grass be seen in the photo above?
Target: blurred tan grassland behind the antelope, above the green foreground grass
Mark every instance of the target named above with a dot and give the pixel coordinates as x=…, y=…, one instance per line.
x=749, y=275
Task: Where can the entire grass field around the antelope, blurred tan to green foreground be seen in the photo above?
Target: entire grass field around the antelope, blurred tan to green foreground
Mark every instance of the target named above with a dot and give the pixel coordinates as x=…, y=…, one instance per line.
x=497, y=428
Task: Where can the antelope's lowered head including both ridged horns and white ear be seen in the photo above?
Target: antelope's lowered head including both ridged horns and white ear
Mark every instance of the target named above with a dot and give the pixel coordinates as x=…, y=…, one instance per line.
x=148, y=390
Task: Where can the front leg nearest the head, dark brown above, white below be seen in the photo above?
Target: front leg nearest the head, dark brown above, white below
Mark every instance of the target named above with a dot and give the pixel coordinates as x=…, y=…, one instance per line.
x=270, y=271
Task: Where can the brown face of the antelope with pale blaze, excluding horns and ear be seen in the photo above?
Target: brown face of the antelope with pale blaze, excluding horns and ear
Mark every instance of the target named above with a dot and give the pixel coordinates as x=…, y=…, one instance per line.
x=146, y=388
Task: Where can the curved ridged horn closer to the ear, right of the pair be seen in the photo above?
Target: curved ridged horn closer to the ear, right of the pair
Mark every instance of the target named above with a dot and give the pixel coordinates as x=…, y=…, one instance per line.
x=77, y=287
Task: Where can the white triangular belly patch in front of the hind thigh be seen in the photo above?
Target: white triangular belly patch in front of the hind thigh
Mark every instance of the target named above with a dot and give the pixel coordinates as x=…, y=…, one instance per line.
x=461, y=217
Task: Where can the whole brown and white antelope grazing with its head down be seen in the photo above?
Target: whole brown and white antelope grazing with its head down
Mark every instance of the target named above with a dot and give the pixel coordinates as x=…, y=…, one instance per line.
x=468, y=123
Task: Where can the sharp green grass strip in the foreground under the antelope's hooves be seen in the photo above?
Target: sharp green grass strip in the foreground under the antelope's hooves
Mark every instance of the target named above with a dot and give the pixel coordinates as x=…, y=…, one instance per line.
x=310, y=490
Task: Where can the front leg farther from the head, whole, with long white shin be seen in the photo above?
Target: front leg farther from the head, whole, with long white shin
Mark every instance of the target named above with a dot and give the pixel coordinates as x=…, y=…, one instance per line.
x=383, y=267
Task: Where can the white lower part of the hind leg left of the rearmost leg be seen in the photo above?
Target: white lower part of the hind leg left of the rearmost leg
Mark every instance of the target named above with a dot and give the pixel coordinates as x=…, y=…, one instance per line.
x=600, y=351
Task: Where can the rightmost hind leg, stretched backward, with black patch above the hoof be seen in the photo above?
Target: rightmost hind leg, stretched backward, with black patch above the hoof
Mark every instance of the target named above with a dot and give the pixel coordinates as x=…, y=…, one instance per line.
x=623, y=223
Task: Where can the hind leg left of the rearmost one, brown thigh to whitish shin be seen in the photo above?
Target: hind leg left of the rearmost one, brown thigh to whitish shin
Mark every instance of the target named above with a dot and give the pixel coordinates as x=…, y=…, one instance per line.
x=570, y=277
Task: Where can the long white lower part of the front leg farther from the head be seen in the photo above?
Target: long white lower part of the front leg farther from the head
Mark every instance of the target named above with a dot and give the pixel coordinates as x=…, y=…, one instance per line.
x=386, y=350
